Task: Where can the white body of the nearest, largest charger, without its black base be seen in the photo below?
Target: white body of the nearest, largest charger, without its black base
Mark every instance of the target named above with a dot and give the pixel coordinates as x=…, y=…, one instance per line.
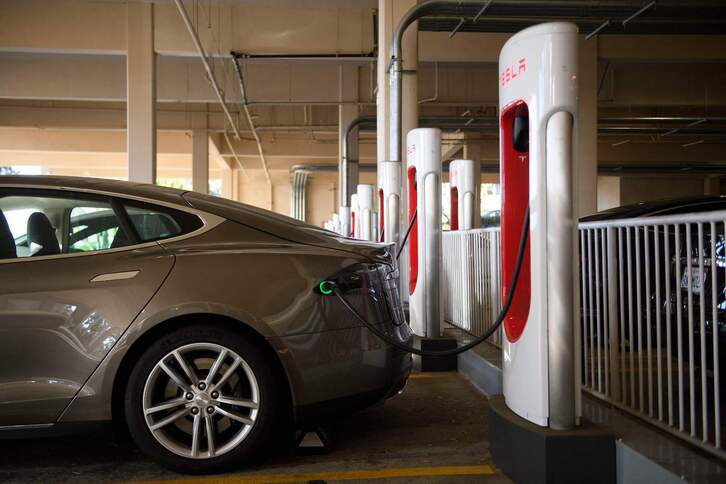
x=538, y=111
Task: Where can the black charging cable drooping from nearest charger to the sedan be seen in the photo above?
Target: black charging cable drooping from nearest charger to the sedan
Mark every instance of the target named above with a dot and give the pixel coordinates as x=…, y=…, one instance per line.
x=500, y=318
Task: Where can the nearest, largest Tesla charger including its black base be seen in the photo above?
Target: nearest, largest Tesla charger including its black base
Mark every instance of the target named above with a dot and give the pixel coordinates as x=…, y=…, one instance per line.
x=538, y=80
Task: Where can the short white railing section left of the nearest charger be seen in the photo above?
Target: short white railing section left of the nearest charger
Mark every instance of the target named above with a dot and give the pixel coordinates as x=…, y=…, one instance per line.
x=471, y=279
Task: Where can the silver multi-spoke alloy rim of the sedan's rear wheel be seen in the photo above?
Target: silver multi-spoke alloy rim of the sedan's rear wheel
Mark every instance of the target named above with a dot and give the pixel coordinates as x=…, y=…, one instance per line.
x=201, y=400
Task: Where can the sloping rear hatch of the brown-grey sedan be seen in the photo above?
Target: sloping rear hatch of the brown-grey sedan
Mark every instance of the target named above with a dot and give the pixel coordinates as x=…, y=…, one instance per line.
x=286, y=228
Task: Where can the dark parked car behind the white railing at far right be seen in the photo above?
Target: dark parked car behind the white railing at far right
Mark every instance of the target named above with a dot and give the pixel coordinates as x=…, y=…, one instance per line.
x=699, y=282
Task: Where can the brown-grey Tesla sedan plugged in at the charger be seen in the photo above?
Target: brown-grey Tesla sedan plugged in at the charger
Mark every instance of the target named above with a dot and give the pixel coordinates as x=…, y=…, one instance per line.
x=200, y=324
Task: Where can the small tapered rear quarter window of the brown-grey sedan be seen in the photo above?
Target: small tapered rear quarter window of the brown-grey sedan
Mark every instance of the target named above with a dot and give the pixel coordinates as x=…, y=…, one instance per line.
x=154, y=222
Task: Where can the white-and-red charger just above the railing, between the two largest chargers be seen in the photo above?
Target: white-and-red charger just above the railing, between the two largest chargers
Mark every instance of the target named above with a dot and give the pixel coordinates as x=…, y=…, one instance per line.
x=463, y=194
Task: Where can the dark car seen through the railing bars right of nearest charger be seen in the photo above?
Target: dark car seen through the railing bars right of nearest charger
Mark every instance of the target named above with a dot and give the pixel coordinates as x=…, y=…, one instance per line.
x=689, y=265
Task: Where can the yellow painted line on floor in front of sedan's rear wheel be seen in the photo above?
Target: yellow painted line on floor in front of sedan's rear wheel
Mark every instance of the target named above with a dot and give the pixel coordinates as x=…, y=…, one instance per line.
x=339, y=476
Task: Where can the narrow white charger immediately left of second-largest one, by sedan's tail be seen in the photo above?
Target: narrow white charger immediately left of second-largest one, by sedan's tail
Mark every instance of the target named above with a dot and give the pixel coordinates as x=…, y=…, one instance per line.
x=389, y=201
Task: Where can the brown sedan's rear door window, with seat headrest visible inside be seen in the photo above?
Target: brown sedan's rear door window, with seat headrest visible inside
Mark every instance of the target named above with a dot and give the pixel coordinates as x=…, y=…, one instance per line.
x=48, y=222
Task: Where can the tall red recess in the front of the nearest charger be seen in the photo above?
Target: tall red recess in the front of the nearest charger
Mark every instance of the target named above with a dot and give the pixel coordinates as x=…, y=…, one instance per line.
x=514, y=174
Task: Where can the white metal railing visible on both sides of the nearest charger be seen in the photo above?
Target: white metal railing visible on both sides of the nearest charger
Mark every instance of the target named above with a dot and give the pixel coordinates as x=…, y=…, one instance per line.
x=653, y=290
